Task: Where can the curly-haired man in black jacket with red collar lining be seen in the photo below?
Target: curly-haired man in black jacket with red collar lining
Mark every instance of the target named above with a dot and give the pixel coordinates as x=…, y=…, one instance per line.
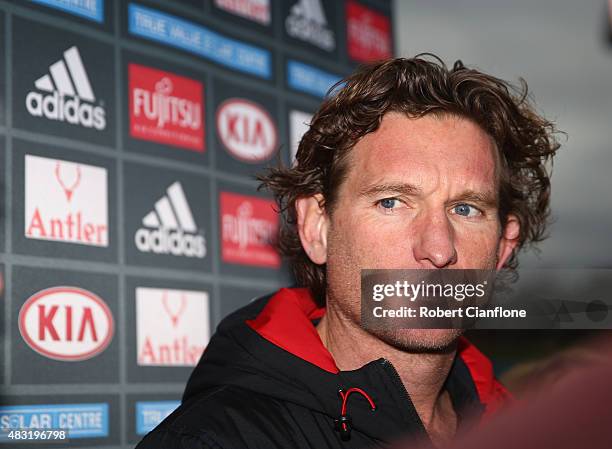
x=408, y=165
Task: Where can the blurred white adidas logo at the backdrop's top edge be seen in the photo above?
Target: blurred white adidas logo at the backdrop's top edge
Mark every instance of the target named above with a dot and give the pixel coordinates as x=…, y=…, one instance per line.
x=307, y=22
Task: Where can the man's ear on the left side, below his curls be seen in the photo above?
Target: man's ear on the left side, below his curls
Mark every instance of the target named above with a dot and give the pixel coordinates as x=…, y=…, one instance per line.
x=312, y=223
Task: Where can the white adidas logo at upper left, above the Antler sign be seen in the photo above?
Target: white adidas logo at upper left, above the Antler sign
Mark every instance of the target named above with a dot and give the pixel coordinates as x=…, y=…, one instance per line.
x=70, y=97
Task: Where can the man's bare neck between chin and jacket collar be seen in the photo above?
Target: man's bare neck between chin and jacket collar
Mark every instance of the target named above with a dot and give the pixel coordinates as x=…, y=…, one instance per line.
x=423, y=374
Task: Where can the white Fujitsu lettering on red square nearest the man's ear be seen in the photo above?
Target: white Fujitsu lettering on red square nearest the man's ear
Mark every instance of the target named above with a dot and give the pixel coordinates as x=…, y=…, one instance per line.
x=244, y=229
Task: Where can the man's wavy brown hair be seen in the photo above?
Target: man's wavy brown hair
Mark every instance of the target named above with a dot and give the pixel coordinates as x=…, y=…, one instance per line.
x=417, y=87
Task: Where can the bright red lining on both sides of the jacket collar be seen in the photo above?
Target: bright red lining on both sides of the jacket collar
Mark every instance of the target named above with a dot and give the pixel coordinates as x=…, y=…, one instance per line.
x=286, y=322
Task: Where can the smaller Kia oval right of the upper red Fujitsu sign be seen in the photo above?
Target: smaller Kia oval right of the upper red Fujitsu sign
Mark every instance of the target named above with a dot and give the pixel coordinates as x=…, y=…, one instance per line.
x=247, y=130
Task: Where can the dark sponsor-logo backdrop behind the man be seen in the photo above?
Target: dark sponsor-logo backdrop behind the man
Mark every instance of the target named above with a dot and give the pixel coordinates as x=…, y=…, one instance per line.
x=130, y=135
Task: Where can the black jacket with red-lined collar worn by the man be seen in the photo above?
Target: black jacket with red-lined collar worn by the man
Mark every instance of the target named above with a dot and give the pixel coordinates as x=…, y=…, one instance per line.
x=266, y=381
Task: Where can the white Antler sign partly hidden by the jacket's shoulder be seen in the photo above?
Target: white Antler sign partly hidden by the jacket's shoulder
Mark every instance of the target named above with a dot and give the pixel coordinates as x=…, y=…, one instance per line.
x=172, y=326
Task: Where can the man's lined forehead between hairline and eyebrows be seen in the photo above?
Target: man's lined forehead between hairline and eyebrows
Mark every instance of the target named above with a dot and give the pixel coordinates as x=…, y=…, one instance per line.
x=429, y=152
